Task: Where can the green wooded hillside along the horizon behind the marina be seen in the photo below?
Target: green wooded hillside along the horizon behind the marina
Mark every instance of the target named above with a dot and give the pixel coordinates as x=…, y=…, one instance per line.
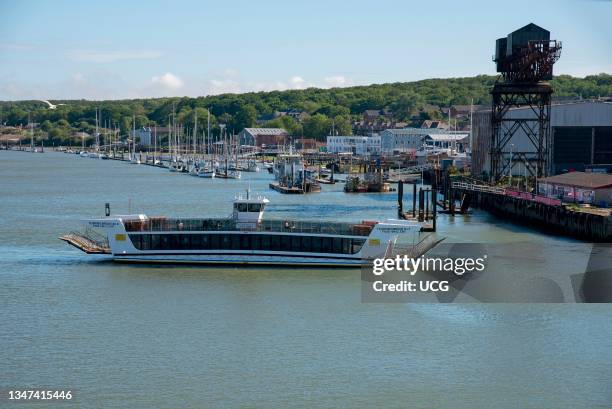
x=337, y=107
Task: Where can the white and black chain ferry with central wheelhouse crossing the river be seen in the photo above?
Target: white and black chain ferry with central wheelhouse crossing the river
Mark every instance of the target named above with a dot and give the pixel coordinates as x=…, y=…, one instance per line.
x=246, y=237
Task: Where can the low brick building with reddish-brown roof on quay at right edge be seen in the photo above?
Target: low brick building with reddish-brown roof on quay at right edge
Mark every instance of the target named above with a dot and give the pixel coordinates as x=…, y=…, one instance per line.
x=579, y=187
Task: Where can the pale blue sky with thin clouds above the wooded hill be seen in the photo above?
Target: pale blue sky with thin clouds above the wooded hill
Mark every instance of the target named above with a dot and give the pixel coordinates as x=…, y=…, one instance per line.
x=126, y=49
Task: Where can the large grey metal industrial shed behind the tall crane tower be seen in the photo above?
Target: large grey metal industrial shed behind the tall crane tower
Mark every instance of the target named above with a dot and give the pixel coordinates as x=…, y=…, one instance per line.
x=581, y=137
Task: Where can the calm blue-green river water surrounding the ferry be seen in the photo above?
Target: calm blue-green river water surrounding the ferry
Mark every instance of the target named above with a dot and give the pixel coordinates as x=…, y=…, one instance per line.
x=144, y=336
